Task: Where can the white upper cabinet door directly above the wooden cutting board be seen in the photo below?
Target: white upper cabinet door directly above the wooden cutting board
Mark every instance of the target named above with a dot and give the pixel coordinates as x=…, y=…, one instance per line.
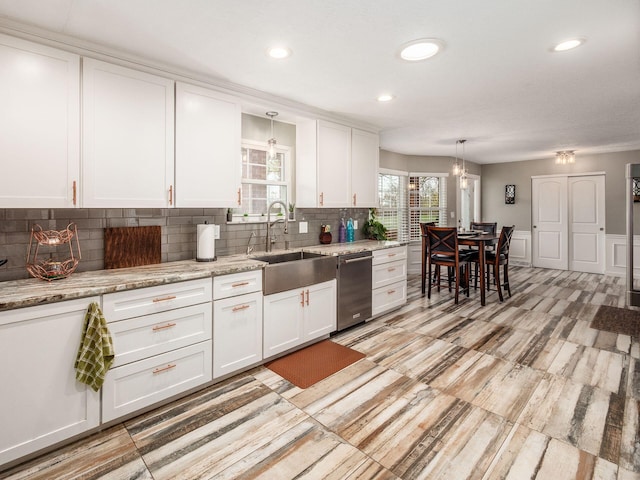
x=128, y=122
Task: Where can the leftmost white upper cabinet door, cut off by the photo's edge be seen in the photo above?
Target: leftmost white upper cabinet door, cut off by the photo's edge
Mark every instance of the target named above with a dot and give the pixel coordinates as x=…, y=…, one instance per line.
x=40, y=125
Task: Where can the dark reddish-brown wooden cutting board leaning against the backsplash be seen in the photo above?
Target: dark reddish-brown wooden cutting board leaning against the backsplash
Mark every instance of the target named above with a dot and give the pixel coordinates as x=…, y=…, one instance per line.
x=132, y=246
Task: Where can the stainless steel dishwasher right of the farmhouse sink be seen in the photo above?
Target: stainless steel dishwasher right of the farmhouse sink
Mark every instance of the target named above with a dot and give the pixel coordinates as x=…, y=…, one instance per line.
x=354, y=289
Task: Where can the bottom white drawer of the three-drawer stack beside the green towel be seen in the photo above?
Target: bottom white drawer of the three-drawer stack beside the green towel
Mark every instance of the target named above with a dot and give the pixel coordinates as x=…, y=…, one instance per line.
x=140, y=384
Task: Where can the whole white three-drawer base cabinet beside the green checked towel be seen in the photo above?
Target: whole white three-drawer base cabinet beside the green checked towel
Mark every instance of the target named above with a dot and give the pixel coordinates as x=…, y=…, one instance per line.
x=162, y=339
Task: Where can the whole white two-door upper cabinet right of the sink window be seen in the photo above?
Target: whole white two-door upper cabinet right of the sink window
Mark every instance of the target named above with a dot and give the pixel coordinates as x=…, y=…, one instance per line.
x=336, y=166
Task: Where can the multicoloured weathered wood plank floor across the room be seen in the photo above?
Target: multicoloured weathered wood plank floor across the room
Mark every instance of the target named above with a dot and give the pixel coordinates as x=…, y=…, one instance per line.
x=515, y=390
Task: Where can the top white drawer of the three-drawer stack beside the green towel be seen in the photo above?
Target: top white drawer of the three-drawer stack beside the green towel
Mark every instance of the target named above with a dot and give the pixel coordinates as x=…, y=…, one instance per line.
x=144, y=301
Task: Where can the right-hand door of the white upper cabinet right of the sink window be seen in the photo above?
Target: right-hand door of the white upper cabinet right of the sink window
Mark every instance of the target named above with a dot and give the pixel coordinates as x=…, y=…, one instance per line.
x=365, y=154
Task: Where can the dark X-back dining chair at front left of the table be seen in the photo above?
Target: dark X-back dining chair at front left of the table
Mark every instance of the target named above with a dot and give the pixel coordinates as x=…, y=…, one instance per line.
x=443, y=251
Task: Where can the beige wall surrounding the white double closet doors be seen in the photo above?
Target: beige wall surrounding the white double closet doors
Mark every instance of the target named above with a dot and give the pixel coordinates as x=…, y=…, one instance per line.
x=496, y=176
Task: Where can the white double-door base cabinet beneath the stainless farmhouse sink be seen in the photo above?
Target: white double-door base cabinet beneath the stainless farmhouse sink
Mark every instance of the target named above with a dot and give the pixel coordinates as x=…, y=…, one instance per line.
x=298, y=316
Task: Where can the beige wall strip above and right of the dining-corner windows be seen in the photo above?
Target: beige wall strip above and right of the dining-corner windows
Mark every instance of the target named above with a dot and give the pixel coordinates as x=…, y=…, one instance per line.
x=426, y=164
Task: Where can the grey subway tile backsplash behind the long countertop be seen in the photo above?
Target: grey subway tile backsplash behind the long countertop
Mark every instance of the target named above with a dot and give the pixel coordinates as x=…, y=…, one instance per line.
x=178, y=231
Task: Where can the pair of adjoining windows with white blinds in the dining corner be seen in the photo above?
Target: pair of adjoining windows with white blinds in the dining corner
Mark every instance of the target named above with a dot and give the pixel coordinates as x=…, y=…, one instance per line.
x=408, y=199
